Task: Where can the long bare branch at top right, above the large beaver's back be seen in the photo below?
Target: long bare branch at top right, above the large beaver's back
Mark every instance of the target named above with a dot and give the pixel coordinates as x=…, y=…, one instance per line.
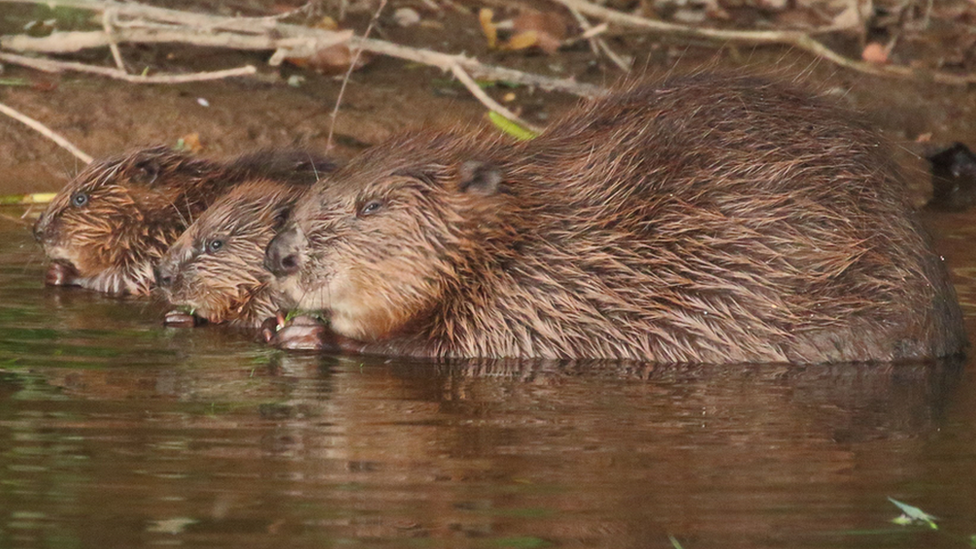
x=799, y=40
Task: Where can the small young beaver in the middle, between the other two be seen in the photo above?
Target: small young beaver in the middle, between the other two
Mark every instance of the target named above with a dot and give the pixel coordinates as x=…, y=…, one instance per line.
x=215, y=268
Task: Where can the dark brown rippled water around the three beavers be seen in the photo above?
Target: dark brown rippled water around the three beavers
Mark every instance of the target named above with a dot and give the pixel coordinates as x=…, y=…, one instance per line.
x=116, y=432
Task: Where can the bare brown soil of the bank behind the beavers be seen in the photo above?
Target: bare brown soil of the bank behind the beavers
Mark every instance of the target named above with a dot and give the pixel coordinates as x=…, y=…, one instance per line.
x=103, y=116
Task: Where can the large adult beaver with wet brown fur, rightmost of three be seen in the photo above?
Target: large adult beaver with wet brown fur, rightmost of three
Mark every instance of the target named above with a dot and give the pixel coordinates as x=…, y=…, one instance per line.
x=705, y=219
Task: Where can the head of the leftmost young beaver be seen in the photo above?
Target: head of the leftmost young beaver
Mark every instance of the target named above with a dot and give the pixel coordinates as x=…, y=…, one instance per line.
x=106, y=224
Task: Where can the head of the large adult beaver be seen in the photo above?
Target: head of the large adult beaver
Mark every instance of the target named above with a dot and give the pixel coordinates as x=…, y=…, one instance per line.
x=381, y=243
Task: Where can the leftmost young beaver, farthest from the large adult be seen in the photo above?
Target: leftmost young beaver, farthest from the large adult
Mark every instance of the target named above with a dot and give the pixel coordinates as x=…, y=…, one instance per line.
x=110, y=224
